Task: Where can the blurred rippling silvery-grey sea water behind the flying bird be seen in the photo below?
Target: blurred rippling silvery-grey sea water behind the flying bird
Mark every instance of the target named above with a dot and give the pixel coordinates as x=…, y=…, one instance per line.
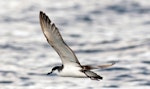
x=99, y=31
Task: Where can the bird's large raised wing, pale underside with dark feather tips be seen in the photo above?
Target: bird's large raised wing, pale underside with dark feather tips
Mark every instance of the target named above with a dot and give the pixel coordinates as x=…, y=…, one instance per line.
x=55, y=39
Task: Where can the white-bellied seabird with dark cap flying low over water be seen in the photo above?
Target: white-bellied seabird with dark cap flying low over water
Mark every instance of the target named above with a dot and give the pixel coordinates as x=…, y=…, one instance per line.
x=70, y=67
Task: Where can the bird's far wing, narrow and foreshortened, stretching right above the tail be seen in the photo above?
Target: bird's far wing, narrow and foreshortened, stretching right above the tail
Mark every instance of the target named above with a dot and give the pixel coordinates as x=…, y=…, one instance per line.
x=90, y=67
